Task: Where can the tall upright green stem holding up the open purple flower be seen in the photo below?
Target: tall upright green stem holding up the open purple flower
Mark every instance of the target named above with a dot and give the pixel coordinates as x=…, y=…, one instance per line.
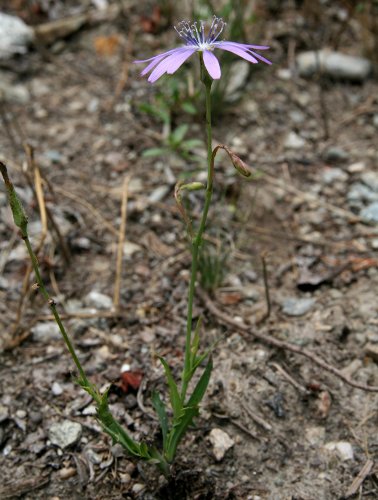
x=197, y=240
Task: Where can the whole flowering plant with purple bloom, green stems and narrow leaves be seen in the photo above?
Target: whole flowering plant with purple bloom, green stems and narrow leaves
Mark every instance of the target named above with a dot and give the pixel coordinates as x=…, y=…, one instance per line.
x=175, y=417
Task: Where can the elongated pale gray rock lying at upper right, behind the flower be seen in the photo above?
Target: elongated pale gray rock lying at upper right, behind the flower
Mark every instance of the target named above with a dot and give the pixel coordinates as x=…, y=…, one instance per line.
x=333, y=64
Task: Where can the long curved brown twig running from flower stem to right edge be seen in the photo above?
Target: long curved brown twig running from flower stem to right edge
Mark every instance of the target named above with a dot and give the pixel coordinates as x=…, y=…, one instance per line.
x=267, y=339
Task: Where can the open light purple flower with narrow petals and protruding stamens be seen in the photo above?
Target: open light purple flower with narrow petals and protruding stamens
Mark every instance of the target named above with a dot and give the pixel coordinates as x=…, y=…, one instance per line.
x=197, y=41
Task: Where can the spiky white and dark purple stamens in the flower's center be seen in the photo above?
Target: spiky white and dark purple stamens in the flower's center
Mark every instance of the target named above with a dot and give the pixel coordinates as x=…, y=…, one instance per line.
x=194, y=34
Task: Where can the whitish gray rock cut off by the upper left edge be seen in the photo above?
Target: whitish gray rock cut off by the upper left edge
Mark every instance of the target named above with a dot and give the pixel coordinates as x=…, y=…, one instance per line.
x=15, y=36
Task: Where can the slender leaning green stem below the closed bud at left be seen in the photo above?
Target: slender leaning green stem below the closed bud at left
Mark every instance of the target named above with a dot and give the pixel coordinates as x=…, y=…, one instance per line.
x=67, y=340
